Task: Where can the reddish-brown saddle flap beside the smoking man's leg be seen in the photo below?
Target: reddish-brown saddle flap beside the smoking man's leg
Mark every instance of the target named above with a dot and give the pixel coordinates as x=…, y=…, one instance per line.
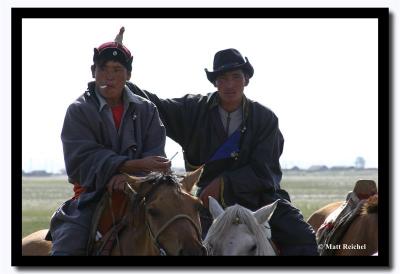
x=107, y=222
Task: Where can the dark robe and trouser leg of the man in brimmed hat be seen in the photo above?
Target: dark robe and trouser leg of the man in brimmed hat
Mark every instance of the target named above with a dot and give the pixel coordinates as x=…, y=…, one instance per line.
x=252, y=176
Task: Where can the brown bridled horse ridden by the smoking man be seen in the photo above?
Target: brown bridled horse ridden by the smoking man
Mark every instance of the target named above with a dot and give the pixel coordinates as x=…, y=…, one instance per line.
x=161, y=218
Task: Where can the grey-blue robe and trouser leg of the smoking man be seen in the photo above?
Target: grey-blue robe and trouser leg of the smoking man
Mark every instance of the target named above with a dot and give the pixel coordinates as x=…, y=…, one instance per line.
x=93, y=152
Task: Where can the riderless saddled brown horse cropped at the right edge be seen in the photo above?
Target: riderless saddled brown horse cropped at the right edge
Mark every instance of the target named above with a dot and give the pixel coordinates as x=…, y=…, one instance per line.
x=361, y=236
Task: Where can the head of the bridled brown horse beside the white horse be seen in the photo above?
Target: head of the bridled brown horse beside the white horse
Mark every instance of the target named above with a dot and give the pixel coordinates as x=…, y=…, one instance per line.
x=168, y=213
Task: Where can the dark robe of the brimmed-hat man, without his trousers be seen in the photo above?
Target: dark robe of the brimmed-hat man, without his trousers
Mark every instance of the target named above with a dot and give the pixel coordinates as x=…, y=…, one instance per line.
x=252, y=177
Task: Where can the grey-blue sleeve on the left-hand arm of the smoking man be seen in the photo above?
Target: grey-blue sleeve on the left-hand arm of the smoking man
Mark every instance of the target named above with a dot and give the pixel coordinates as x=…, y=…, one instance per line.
x=87, y=160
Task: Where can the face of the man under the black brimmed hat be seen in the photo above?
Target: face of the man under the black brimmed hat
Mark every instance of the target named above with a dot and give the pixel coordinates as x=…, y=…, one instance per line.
x=230, y=86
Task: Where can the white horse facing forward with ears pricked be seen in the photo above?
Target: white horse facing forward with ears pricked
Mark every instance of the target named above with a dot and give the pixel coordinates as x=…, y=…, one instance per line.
x=238, y=231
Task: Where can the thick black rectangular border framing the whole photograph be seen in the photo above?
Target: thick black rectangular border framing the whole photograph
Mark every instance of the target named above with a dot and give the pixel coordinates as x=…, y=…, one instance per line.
x=384, y=155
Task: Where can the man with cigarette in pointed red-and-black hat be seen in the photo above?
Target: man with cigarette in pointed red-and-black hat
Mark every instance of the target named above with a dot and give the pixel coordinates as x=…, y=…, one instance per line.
x=107, y=131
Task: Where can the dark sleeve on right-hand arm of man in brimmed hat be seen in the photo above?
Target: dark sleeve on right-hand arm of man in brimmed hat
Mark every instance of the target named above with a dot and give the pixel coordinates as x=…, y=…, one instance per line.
x=259, y=178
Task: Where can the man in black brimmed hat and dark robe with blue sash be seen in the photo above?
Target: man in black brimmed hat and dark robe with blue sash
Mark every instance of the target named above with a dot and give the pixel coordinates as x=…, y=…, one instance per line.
x=239, y=143
